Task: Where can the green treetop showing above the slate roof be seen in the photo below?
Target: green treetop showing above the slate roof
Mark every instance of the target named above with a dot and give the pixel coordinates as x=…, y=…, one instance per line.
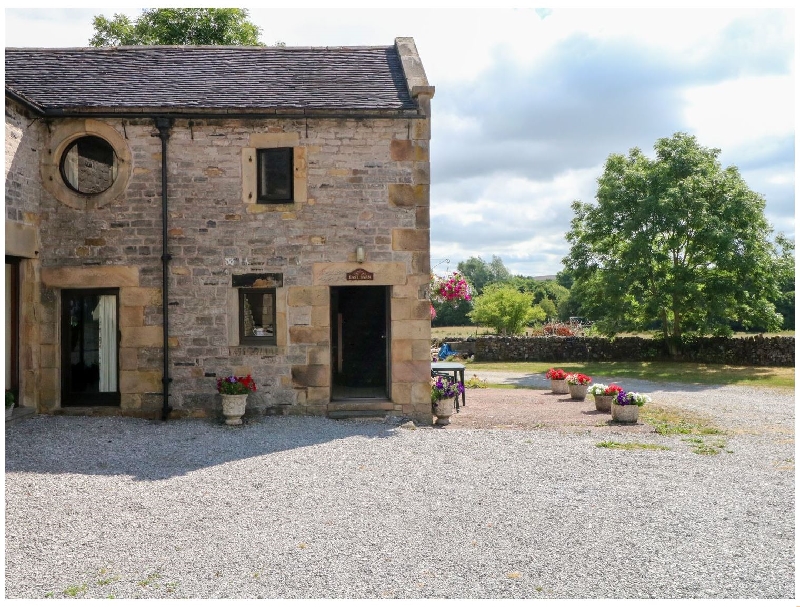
x=178, y=26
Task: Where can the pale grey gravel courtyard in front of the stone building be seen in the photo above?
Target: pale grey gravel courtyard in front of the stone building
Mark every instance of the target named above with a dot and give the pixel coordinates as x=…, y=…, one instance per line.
x=288, y=507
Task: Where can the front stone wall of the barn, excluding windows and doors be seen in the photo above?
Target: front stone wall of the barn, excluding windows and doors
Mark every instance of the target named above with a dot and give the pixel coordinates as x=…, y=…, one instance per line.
x=366, y=183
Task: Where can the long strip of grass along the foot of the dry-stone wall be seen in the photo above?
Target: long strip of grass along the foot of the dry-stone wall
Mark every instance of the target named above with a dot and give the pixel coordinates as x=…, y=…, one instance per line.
x=687, y=373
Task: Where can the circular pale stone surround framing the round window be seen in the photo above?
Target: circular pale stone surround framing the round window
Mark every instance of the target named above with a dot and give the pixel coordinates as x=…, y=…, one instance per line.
x=64, y=134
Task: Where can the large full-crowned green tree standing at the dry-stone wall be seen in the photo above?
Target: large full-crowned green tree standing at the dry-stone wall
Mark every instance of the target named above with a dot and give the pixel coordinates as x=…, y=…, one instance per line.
x=676, y=242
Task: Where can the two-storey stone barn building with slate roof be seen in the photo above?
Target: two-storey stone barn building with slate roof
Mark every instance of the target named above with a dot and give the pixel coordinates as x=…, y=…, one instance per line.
x=179, y=214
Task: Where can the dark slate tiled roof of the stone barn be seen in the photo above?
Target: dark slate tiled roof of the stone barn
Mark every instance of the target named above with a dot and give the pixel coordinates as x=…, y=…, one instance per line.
x=209, y=79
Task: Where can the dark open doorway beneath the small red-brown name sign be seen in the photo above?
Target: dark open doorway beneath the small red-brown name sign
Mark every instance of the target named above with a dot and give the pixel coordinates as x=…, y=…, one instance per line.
x=360, y=342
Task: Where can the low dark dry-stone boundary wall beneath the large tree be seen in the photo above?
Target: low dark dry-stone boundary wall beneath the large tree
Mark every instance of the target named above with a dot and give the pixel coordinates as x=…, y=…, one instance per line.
x=756, y=350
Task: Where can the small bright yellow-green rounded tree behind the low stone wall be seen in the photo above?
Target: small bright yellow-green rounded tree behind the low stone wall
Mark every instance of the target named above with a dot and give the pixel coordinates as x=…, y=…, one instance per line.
x=505, y=309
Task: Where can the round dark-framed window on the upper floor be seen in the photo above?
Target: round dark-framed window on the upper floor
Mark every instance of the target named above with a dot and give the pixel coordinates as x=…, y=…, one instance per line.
x=89, y=165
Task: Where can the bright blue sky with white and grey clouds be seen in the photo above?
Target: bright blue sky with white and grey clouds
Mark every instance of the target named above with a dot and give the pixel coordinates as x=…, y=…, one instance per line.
x=530, y=103
